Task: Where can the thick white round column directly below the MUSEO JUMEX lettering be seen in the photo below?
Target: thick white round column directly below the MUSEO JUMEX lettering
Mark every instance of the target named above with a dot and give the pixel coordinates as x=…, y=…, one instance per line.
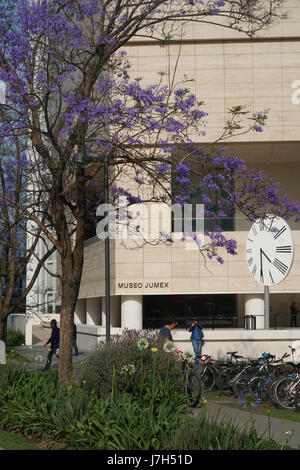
x=132, y=311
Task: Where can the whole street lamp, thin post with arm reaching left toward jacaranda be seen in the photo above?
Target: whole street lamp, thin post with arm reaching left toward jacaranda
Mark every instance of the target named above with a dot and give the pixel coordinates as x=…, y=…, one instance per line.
x=80, y=158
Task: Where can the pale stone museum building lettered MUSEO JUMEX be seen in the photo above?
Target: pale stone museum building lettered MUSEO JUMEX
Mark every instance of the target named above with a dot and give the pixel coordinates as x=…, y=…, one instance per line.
x=150, y=283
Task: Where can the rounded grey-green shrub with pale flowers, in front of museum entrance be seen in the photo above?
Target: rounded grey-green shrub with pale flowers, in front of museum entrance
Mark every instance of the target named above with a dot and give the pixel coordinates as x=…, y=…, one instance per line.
x=132, y=364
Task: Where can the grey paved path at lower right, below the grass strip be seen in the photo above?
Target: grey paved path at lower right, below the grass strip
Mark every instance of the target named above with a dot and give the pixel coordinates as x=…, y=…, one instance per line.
x=279, y=429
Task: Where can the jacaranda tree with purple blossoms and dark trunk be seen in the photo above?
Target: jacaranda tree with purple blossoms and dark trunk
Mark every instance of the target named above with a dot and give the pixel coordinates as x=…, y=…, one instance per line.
x=68, y=83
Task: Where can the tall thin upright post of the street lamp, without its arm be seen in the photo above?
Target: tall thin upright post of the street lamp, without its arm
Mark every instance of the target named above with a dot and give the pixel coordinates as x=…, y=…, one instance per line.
x=107, y=254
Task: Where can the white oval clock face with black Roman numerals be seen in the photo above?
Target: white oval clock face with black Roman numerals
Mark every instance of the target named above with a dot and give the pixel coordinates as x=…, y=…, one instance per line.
x=270, y=250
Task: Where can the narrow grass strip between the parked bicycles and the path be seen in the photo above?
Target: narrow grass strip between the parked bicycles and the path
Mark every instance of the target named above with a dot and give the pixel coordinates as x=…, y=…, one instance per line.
x=228, y=399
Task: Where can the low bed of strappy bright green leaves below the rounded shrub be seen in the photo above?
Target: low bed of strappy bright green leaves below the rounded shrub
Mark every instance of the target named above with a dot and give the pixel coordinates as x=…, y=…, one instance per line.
x=36, y=404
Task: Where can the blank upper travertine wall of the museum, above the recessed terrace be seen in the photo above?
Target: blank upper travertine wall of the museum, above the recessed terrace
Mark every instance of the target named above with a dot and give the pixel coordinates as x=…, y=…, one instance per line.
x=229, y=69
